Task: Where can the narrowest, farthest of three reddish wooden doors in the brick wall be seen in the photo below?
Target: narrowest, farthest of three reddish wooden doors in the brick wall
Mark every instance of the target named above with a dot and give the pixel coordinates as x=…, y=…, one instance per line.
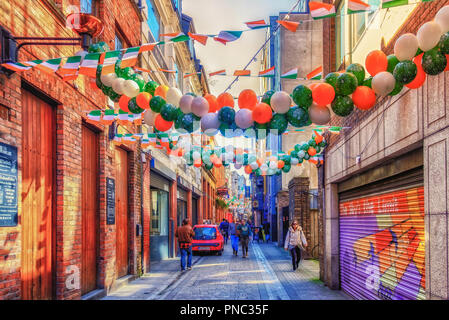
x=121, y=207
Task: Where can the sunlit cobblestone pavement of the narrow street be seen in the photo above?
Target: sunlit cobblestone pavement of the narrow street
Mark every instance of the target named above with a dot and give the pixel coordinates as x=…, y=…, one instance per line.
x=266, y=274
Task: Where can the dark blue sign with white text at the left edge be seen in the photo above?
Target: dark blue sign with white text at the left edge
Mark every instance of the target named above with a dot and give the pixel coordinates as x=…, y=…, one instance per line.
x=8, y=185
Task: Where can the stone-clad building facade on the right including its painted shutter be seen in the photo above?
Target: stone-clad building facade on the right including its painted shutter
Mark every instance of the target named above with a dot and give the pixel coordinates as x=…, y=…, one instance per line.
x=385, y=179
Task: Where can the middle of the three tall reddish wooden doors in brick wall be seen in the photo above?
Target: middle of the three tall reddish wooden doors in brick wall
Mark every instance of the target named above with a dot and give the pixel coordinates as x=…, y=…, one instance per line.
x=89, y=209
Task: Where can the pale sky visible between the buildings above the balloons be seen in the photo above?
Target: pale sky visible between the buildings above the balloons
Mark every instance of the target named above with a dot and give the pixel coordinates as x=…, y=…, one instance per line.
x=212, y=16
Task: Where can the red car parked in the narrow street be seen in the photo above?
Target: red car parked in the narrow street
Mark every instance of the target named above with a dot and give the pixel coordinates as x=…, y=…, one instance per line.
x=207, y=239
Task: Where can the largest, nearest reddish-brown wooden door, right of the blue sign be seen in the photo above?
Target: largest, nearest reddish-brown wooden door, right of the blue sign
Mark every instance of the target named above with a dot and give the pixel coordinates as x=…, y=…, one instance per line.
x=38, y=197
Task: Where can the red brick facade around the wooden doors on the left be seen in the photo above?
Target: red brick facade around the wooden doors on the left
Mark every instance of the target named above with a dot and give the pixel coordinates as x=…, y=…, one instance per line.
x=73, y=99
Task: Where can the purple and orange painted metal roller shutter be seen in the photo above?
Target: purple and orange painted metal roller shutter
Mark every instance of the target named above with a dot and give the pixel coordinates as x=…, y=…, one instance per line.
x=382, y=238
